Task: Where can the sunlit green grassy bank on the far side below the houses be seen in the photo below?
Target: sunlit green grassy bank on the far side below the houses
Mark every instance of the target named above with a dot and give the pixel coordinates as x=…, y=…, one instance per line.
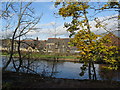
x=58, y=57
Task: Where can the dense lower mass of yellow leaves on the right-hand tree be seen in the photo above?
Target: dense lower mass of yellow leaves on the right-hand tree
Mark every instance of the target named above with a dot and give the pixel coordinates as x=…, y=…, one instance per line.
x=90, y=47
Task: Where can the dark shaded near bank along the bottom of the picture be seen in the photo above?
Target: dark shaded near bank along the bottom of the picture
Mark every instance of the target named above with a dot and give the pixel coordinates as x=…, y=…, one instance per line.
x=22, y=80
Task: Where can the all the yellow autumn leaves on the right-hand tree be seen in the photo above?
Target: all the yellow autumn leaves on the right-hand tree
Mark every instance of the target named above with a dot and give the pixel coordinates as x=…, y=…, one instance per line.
x=90, y=45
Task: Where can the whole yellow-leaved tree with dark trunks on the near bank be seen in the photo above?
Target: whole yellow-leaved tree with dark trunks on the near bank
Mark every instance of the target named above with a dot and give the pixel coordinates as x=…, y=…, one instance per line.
x=85, y=40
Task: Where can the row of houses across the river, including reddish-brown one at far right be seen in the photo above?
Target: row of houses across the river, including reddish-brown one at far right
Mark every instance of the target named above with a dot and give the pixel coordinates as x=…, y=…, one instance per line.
x=56, y=45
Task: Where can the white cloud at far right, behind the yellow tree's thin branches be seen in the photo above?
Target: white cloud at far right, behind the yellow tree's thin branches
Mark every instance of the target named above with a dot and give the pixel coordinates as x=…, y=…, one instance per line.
x=110, y=23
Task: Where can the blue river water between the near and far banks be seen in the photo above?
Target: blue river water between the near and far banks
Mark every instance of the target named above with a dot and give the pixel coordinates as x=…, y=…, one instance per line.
x=69, y=70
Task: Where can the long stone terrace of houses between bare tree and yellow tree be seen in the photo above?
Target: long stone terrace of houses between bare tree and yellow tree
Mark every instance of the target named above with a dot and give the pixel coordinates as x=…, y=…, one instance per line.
x=52, y=45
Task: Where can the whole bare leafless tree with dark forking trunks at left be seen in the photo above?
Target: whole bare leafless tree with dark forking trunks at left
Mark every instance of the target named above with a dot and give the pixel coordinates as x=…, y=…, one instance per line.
x=24, y=21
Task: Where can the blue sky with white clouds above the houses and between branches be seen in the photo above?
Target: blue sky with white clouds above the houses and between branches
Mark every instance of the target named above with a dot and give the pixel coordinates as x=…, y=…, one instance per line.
x=51, y=24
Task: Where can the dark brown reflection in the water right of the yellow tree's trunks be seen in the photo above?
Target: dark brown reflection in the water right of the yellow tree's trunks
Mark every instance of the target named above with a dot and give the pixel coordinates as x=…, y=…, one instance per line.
x=107, y=74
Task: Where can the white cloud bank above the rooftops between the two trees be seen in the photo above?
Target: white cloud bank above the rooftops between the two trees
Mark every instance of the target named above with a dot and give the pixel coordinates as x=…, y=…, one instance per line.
x=47, y=32
